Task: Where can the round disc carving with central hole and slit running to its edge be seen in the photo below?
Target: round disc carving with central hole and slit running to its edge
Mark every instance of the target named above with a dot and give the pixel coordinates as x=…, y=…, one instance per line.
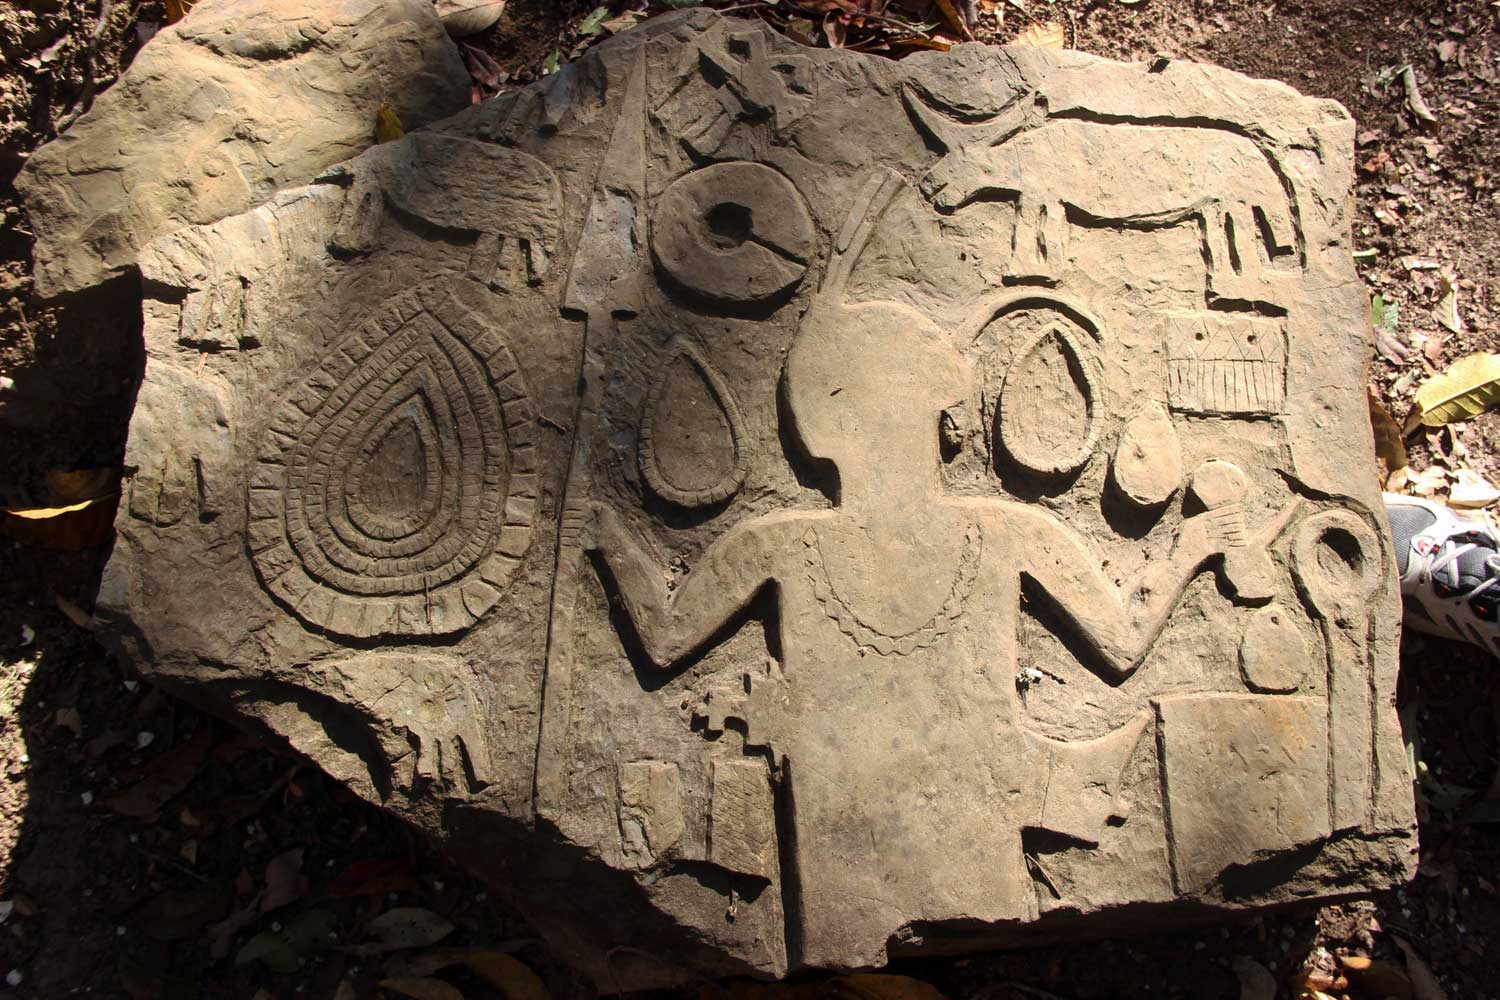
x=734, y=233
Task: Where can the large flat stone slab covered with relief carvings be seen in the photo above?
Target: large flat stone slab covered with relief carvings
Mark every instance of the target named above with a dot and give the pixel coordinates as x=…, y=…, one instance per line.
x=775, y=509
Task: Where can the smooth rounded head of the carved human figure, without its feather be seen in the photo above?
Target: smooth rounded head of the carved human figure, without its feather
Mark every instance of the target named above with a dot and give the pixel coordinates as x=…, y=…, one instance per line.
x=868, y=385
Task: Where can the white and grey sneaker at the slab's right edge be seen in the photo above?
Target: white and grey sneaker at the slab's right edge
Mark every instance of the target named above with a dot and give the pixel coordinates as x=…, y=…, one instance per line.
x=1450, y=572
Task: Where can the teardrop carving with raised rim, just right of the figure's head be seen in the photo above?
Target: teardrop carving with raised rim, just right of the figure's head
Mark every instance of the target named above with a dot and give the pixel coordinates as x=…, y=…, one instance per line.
x=1048, y=419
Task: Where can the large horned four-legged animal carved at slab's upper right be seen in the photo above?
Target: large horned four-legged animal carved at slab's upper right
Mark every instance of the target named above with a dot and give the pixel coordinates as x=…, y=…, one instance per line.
x=1114, y=175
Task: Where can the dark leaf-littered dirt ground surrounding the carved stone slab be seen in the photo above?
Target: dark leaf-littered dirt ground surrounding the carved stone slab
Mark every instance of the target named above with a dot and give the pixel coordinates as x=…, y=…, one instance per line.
x=145, y=846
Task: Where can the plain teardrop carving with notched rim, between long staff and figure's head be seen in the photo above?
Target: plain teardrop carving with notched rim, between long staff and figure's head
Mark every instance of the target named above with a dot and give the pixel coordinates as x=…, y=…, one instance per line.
x=692, y=436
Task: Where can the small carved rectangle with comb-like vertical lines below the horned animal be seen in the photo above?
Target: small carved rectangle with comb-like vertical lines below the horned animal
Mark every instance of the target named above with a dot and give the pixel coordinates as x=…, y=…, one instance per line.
x=1225, y=365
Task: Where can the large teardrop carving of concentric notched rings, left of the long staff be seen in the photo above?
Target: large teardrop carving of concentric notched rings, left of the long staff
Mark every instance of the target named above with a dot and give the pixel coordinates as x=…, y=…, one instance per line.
x=395, y=490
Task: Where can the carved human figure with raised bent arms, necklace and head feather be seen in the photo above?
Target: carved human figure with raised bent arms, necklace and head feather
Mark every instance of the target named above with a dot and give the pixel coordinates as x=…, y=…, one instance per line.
x=898, y=615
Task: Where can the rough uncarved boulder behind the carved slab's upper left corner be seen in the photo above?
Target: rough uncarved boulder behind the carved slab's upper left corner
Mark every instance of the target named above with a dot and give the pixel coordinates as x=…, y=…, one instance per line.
x=220, y=112
